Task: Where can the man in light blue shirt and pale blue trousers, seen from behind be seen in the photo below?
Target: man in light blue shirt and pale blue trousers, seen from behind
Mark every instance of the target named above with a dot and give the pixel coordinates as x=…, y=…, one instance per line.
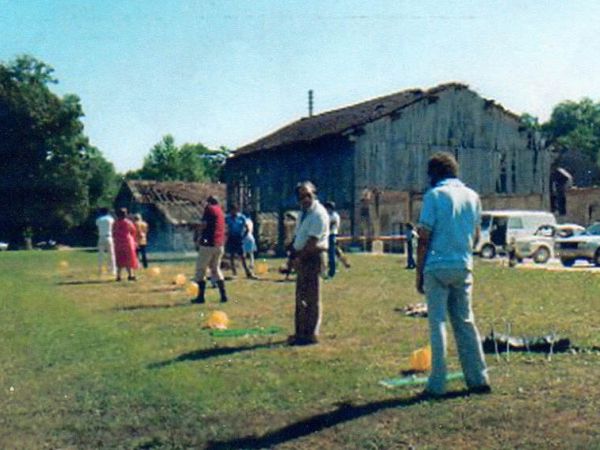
x=448, y=231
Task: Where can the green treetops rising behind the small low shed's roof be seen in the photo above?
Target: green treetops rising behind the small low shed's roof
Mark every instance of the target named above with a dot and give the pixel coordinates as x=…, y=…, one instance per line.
x=190, y=162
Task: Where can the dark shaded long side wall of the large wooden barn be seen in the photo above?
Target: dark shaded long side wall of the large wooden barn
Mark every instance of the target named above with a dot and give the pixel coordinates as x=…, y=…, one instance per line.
x=263, y=183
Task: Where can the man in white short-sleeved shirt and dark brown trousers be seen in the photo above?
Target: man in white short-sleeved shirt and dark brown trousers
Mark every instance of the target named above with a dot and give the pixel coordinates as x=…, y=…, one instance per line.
x=310, y=244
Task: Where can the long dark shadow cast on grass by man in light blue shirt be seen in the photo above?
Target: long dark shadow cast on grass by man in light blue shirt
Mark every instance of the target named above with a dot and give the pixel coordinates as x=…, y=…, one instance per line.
x=345, y=412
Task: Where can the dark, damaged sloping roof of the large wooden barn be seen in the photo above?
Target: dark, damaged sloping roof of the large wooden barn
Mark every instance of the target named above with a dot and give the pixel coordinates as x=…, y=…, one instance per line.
x=344, y=119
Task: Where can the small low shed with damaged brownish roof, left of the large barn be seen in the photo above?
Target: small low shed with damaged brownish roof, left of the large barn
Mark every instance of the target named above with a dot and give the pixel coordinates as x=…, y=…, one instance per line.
x=169, y=207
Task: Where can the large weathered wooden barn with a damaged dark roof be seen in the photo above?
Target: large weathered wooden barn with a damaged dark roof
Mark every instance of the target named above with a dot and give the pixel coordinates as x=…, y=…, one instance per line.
x=370, y=158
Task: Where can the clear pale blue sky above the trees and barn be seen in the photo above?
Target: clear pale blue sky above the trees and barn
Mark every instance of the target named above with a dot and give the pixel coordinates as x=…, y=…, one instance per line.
x=227, y=72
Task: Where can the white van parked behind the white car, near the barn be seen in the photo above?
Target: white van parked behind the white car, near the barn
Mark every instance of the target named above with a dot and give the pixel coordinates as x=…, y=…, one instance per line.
x=499, y=228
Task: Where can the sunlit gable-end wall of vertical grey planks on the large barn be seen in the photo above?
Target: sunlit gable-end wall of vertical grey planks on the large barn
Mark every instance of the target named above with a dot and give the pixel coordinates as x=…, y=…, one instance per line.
x=497, y=155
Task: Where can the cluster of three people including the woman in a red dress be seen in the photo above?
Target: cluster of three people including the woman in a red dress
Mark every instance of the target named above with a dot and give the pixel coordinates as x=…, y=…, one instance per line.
x=120, y=241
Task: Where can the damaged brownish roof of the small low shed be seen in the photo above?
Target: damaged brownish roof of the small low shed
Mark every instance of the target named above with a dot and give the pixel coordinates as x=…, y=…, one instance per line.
x=180, y=202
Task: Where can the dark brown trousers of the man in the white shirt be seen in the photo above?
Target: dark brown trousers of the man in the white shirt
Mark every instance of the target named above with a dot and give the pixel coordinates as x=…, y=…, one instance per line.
x=308, y=296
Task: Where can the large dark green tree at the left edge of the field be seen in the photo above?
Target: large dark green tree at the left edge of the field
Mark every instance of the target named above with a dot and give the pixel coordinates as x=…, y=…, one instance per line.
x=46, y=161
